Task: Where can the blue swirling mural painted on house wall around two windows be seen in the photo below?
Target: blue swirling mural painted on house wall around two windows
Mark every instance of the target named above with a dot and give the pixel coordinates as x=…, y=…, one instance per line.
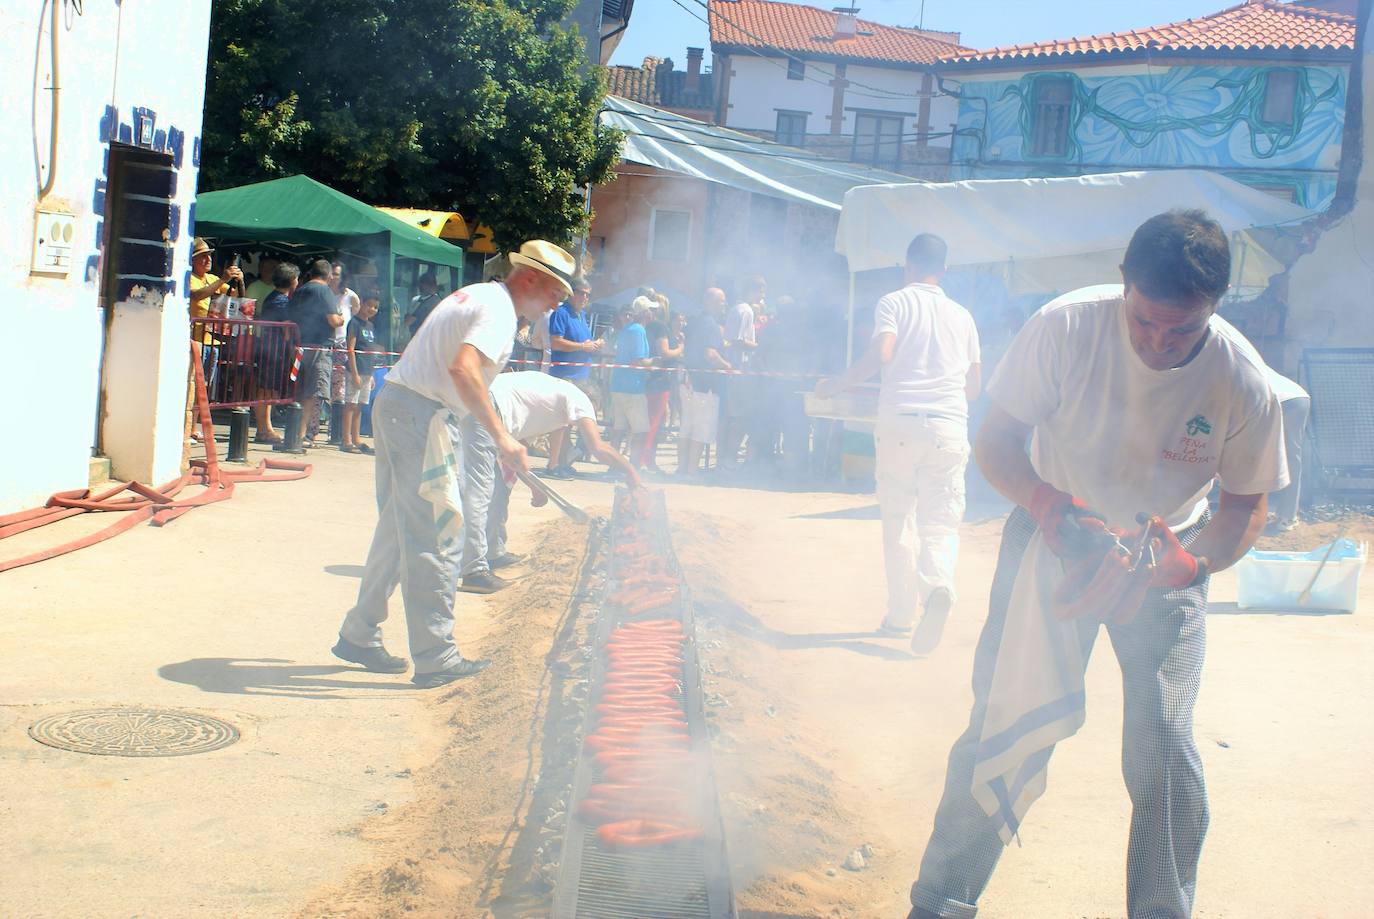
x=1163, y=119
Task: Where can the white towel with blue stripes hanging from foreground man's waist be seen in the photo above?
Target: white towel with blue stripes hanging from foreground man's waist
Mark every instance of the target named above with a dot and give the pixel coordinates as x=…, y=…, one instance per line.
x=1037, y=699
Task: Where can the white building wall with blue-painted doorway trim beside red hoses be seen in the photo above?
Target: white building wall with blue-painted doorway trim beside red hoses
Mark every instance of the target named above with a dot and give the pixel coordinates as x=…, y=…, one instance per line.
x=122, y=67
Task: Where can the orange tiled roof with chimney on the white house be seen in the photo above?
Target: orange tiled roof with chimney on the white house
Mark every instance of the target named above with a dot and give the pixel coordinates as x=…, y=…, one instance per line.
x=809, y=31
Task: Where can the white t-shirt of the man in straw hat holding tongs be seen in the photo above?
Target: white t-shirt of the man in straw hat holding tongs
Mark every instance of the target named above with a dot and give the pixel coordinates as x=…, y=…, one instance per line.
x=480, y=315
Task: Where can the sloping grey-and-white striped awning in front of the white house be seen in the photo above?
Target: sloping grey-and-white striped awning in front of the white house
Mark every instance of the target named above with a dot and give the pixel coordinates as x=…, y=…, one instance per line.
x=673, y=142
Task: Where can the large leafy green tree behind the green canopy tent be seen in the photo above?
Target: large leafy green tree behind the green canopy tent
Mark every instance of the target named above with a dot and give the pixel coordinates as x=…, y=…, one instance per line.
x=479, y=106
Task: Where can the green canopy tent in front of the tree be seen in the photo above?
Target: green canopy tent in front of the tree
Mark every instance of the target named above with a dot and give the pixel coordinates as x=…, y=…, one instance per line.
x=302, y=214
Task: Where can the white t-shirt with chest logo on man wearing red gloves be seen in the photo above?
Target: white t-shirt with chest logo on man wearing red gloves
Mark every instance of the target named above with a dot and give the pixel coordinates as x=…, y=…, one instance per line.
x=1127, y=439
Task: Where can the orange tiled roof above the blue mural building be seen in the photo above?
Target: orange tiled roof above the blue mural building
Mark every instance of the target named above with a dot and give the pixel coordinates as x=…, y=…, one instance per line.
x=1259, y=25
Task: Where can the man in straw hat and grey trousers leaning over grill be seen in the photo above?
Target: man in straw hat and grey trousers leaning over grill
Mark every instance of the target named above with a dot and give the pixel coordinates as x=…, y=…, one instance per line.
x=446, y=370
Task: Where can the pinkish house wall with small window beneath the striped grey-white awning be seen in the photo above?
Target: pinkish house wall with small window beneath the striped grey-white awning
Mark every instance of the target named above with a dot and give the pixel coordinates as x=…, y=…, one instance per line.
x=620, y=234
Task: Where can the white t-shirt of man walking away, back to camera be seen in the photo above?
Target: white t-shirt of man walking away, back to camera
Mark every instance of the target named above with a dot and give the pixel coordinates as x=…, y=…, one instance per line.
x=936, y=345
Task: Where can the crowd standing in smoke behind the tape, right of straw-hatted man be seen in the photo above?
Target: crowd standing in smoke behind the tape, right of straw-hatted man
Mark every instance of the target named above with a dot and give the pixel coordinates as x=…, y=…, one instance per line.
x=726, y=383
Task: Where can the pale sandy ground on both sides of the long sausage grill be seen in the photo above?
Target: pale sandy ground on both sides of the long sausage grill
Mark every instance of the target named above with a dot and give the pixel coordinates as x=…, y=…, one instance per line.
x=352, y=795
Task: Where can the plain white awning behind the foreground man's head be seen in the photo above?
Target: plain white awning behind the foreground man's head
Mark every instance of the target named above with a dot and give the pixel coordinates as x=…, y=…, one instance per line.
x=1052, y=230
